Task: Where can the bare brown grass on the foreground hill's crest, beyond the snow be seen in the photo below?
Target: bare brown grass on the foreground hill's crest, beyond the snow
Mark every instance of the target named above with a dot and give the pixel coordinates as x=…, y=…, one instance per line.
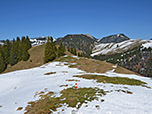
x=88, y=65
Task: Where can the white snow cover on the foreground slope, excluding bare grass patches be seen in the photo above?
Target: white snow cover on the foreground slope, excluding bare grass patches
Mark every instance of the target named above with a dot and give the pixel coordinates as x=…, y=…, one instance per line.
x=19, y=87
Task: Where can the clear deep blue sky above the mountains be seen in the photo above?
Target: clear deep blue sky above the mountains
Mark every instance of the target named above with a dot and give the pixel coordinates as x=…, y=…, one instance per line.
x=60, y=17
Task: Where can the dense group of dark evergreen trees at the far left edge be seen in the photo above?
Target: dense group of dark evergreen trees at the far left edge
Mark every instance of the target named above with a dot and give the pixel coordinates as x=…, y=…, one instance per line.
x=11, y=52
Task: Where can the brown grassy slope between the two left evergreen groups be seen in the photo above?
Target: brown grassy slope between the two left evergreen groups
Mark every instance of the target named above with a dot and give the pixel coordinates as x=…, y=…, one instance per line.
x=35, y=60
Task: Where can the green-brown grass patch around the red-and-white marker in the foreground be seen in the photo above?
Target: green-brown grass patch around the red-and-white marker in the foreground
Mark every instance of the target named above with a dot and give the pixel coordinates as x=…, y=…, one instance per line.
x=69, y=96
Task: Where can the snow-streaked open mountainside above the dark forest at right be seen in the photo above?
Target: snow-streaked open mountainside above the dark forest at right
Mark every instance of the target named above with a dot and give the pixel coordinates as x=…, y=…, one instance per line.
x=111, y=48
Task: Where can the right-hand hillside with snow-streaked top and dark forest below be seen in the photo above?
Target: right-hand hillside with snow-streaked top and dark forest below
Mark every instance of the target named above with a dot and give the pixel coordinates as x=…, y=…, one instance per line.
x=131, y=54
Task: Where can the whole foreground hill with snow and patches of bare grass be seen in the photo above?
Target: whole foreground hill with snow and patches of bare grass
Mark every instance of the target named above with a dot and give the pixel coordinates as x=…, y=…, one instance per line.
x=50, y=88
